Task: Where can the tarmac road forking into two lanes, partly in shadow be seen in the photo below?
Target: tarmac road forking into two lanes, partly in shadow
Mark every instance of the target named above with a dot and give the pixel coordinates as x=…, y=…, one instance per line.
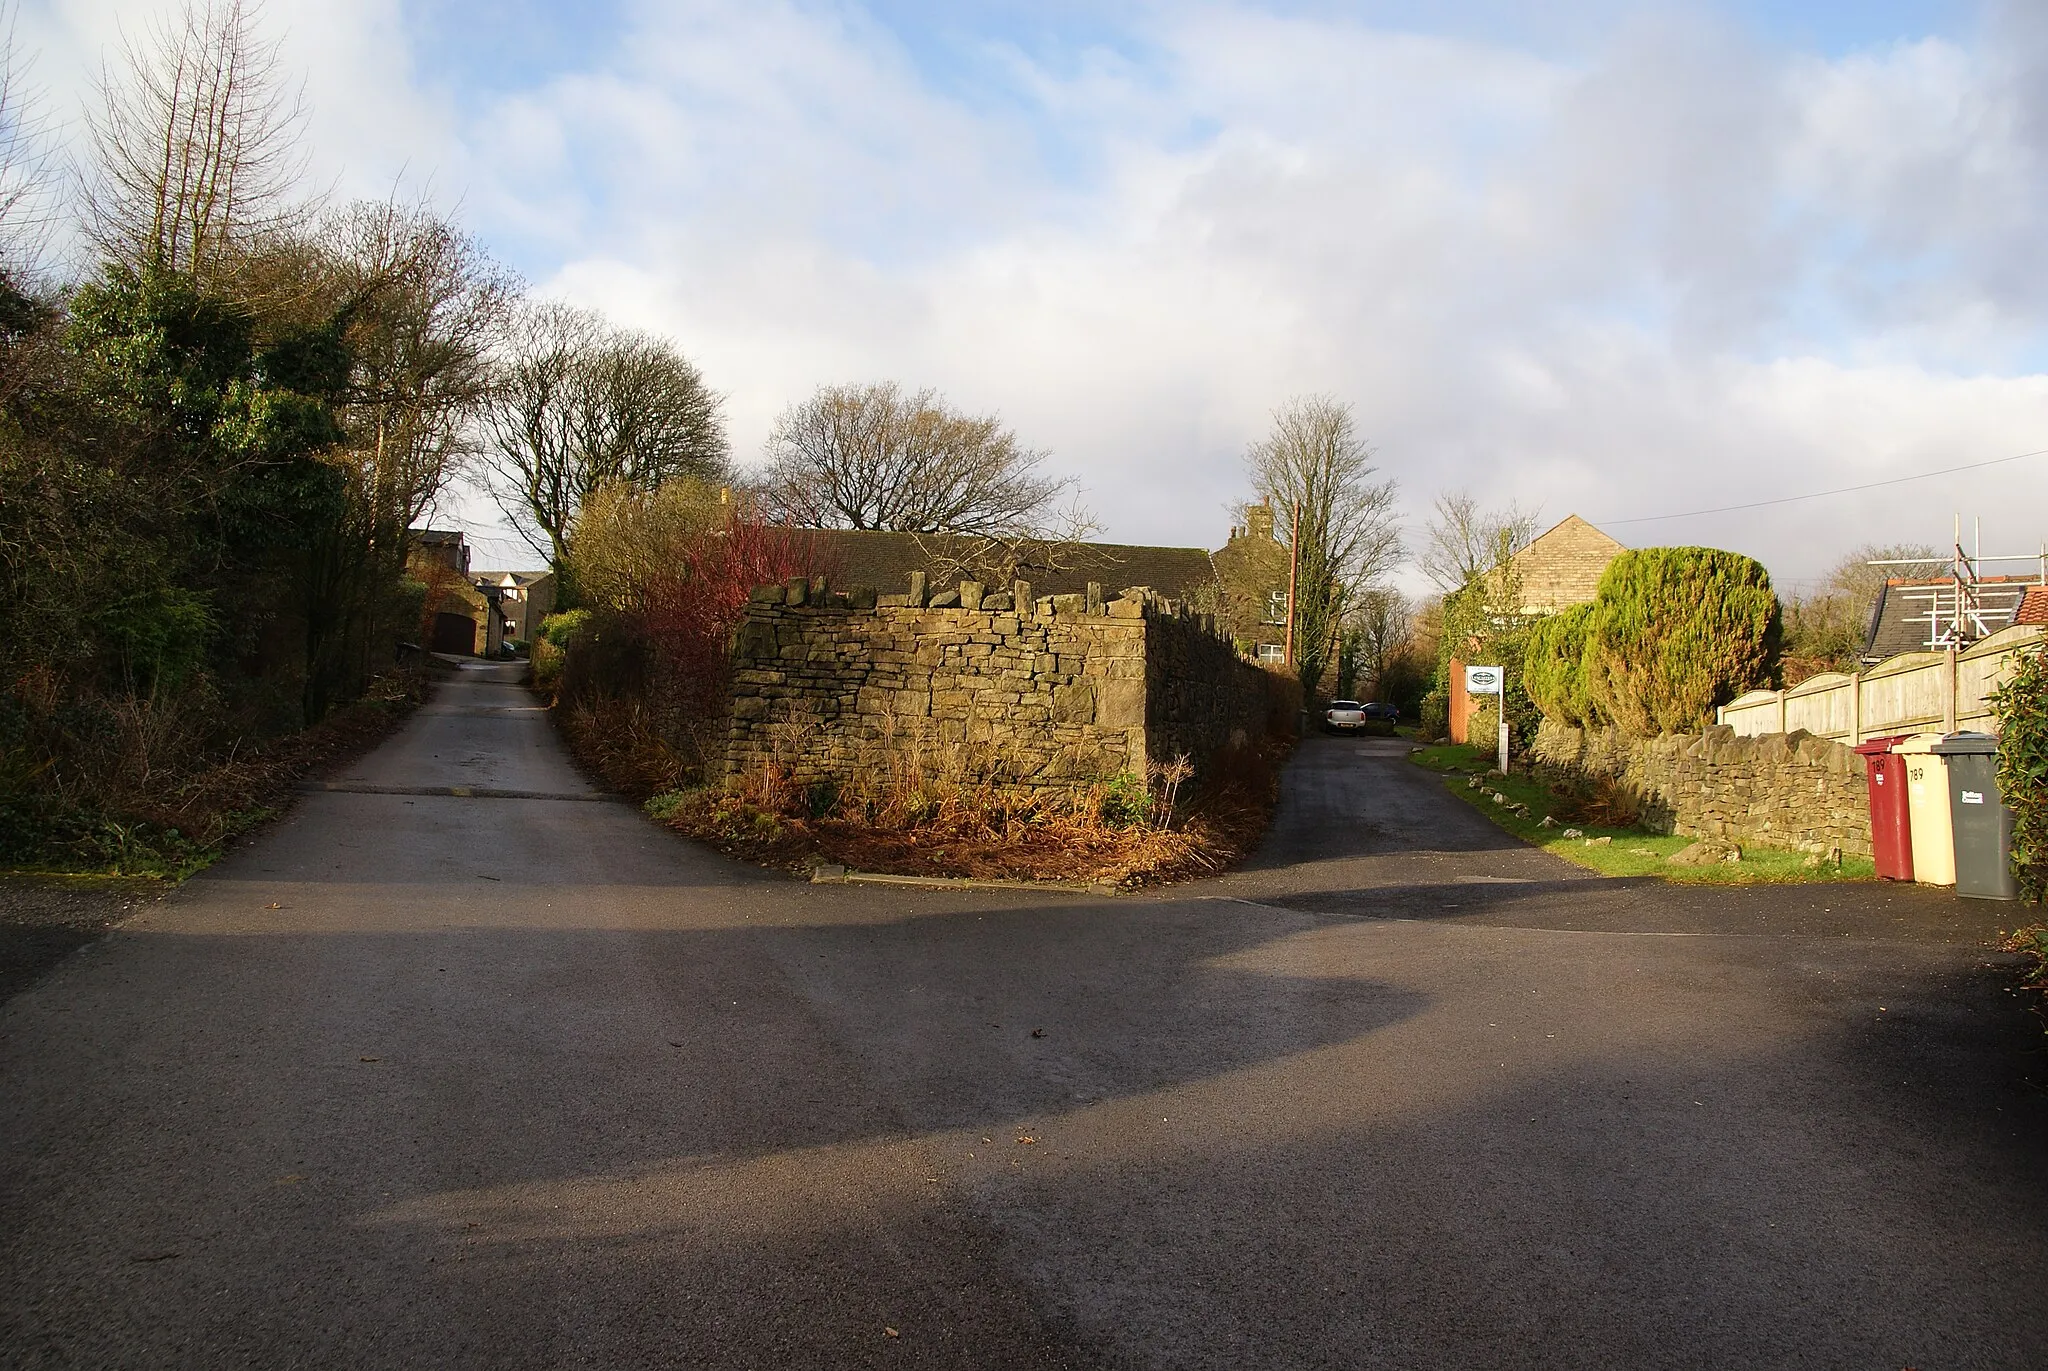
x=515, y=1079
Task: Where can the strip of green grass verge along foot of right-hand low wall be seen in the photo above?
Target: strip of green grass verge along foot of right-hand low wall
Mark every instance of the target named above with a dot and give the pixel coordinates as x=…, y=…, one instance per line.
x=1627, y=849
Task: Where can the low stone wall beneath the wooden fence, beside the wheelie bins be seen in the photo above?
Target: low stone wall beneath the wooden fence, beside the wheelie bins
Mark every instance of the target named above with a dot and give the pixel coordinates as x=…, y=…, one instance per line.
x=1781, y=790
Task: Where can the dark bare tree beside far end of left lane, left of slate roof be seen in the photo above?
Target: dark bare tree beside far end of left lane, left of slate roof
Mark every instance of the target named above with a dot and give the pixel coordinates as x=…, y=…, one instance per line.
x=585, y=405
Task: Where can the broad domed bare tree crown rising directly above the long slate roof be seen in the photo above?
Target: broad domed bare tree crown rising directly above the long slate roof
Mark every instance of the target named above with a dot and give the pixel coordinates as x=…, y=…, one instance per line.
x=873, y=458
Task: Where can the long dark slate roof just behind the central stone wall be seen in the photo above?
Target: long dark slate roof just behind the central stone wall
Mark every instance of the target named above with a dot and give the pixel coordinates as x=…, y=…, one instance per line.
x=886, y=560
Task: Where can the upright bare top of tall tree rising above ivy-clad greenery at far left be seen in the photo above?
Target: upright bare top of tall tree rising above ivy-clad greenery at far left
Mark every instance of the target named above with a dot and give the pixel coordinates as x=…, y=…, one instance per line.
x=196, y=144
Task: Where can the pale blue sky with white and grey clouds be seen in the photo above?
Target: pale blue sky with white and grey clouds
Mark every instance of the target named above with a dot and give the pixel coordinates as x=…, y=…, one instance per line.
x=1592, y=257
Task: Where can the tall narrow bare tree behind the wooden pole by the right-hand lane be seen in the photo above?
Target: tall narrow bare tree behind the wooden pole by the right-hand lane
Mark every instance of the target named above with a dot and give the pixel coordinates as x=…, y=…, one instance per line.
x=1347, y=538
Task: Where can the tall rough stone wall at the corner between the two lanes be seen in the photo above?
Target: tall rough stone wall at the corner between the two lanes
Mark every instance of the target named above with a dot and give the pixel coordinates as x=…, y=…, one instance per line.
x=1019, y=690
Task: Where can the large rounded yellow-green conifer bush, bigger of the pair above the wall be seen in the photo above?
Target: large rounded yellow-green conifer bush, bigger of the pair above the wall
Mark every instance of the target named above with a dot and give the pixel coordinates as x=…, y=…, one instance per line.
x=1676, y=632
